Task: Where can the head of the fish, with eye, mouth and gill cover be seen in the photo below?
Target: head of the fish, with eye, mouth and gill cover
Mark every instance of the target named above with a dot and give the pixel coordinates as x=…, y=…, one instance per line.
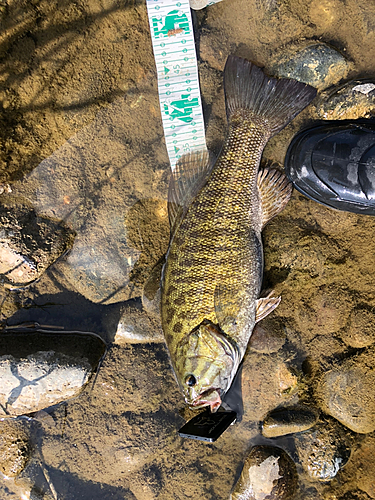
x=208, y=361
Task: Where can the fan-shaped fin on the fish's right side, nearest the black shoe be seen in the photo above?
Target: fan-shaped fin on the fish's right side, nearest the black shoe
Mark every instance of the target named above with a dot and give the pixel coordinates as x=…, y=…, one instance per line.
x=274, y=192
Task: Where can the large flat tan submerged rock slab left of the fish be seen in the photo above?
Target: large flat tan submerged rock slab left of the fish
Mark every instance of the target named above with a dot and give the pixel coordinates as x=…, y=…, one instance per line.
x=92, y=182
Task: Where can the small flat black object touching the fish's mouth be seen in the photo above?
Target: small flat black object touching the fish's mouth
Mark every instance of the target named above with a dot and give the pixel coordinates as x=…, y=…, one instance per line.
x=208, y=426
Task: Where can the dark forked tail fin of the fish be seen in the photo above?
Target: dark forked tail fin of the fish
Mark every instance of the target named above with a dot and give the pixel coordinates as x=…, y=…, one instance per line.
x=278, y=101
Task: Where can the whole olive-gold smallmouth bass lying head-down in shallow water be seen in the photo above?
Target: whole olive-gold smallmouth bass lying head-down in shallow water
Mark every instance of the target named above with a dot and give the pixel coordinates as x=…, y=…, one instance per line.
x=212, y=277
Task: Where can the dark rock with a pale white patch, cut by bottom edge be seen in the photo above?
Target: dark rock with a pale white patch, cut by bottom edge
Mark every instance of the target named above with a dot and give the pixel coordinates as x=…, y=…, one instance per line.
x=268, y=473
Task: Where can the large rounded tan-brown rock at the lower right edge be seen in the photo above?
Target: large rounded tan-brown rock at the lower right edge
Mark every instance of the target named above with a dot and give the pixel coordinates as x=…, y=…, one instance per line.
x=347, y=392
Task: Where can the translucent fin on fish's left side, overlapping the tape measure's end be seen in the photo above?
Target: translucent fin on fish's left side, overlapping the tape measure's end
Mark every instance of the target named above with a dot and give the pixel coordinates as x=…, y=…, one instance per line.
x=191, y=173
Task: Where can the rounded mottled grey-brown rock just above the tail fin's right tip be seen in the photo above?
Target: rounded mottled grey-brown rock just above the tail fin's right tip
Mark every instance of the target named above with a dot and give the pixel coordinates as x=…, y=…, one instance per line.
x=317, y=64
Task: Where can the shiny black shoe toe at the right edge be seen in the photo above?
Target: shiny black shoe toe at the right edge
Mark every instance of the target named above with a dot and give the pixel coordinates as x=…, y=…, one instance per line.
x=334, y=164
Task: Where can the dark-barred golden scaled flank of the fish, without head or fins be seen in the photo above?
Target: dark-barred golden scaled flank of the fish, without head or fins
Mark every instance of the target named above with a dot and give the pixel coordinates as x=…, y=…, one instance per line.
x=201, y=256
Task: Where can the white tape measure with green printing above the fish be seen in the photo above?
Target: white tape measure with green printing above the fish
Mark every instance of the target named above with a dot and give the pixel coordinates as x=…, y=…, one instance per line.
x=176, y=63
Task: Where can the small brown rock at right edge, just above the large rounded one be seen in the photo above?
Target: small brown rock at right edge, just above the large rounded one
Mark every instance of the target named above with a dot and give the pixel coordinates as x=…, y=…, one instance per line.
x=361, y=329
